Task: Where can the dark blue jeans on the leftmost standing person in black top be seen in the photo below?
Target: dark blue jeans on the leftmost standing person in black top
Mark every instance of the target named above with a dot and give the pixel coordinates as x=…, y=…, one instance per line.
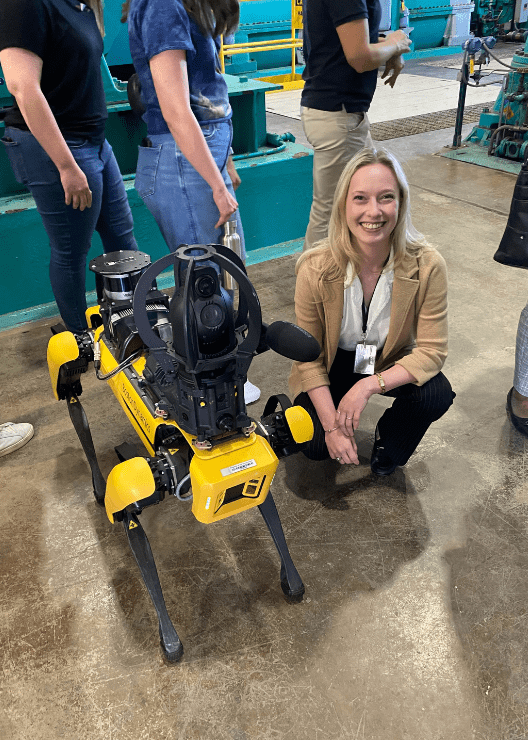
x=69, y=229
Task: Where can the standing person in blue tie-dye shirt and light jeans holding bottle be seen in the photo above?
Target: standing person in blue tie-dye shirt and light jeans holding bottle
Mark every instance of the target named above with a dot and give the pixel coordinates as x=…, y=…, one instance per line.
x=185, y=174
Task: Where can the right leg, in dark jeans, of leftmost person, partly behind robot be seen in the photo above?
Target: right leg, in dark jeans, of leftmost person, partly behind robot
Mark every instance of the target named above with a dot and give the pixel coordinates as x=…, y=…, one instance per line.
x=114, y=225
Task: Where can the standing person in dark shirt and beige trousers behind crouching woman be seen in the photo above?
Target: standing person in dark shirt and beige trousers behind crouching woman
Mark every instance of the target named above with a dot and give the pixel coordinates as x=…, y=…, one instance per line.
x=343, y=52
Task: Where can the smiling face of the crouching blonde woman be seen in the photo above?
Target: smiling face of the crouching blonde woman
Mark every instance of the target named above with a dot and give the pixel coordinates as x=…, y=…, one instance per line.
x=372, y=208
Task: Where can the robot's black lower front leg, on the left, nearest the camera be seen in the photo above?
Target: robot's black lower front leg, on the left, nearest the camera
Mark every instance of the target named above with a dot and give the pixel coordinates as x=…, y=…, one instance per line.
x=140, y=546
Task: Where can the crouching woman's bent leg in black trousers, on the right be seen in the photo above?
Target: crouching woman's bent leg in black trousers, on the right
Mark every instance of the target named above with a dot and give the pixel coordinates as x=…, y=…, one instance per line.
x=403, y=425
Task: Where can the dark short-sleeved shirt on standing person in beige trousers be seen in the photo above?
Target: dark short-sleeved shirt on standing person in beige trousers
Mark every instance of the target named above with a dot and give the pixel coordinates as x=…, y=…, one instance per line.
x=330, y=82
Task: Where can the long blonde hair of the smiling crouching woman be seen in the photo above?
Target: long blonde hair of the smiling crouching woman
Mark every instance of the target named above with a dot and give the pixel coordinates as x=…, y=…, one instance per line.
x=339, y=248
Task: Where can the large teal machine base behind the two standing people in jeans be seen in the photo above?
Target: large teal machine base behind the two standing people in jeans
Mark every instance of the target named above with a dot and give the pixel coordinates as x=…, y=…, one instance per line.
x=275, y=195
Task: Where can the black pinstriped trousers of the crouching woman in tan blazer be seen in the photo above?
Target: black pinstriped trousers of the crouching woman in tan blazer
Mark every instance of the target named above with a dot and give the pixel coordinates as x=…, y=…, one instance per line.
x=401, y=427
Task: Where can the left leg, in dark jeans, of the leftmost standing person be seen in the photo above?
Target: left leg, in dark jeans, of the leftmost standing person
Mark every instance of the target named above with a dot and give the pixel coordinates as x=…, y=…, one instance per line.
x=69, y=230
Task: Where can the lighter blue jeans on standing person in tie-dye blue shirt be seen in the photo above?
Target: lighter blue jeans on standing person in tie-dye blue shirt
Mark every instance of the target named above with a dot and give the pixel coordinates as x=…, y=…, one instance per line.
x=177, y=196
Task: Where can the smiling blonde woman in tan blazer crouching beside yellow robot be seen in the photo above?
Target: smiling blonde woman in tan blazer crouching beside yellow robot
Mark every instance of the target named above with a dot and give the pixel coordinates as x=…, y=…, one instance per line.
x=374, y=294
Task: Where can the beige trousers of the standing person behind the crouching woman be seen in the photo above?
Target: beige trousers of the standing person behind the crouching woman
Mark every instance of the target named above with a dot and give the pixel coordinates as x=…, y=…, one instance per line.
x=335, y=136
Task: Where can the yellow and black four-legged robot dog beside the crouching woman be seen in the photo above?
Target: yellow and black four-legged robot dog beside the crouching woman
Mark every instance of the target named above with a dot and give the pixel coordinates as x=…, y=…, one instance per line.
x=178, y=367
